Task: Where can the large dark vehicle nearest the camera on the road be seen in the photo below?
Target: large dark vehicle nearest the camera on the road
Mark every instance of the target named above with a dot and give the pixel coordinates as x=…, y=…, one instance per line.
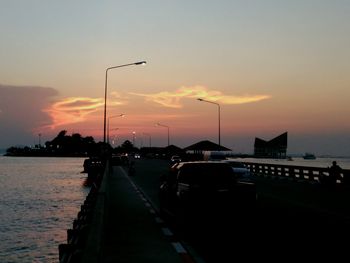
x=193, y=189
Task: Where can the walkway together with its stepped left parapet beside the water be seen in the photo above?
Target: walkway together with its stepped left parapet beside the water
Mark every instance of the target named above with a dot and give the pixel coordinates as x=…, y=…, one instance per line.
x=123, y=226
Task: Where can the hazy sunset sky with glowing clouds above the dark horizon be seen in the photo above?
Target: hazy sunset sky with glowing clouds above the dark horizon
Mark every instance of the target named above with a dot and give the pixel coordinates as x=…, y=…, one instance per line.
x=272, y=66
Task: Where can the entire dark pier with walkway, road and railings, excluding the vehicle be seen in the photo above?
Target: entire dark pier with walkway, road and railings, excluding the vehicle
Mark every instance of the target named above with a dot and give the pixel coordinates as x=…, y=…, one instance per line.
x=296, y=215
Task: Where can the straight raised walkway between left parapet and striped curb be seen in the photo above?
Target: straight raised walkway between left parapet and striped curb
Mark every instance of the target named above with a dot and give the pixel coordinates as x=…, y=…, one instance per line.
x=132, y=231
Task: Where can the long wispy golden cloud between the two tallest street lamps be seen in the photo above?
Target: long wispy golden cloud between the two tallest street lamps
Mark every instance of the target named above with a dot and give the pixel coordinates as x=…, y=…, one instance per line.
x=173, y=99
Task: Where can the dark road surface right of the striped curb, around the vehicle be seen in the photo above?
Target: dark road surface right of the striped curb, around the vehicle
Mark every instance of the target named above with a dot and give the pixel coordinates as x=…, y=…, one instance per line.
x=292, y=219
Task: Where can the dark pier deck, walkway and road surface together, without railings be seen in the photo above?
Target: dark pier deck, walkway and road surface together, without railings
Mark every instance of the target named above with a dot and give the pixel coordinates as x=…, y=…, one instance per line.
x=293, y=219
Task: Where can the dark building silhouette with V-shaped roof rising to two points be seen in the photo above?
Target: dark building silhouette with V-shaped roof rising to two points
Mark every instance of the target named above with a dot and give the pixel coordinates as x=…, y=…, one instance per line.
x=275, y=148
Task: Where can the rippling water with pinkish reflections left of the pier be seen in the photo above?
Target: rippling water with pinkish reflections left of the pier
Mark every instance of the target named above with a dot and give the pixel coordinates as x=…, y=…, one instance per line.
x=39, y=199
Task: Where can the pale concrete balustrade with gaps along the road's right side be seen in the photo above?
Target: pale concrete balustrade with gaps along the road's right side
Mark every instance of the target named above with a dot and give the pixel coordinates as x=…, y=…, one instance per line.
x=299, y=173
